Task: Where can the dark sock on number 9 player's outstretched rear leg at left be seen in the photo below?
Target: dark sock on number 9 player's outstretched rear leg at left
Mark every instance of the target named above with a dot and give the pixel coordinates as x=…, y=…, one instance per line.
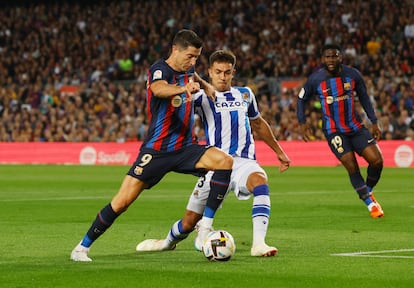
x=103, y=221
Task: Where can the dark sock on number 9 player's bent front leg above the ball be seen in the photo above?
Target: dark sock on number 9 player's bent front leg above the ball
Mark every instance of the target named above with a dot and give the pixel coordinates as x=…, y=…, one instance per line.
x=218, y=188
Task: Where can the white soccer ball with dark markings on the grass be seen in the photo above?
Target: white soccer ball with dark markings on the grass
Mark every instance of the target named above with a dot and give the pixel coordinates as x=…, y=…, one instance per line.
x=219, y=246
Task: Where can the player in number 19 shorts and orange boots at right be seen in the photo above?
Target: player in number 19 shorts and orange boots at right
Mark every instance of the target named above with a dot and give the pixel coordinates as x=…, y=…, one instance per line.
x=338, y=88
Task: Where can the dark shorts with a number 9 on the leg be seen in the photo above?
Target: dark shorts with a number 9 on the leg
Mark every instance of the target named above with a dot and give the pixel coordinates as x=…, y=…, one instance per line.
x=151, y=165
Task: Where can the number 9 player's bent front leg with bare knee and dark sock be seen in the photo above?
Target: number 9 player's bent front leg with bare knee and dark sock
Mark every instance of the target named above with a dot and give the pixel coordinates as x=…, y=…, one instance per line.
x=221, y=163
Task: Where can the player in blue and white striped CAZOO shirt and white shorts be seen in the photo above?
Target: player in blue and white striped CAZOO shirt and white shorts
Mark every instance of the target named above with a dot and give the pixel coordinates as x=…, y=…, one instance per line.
x=228, y=123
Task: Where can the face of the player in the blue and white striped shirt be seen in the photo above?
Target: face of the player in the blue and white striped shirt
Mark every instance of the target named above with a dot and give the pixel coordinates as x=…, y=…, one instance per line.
x=221, y=75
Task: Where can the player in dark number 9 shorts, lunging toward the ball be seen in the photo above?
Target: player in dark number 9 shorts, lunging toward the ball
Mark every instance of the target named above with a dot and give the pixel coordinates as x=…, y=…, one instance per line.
x=169, y=144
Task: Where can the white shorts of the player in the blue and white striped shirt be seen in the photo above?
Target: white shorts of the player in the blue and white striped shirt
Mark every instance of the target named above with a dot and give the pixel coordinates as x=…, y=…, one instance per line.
x=242, y=168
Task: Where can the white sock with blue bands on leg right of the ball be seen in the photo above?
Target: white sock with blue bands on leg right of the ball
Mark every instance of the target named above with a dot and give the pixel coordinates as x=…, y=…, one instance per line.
x=260, y=213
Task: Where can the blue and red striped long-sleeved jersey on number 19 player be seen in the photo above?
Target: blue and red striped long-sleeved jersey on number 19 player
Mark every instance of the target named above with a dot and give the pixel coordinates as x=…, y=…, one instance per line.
x=338, y=96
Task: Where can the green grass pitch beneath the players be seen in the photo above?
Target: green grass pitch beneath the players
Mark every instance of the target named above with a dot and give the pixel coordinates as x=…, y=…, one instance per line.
x=45, y=211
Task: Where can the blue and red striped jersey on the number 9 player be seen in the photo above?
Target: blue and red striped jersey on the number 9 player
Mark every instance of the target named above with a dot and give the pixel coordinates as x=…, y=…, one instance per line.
x=170, y=119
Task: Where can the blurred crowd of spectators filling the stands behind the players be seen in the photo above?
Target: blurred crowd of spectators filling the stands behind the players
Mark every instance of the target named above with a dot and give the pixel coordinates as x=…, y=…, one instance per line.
x=104, y=48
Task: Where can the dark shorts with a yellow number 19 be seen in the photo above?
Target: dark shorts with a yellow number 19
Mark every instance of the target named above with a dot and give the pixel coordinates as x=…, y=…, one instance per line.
x=341, y=143
